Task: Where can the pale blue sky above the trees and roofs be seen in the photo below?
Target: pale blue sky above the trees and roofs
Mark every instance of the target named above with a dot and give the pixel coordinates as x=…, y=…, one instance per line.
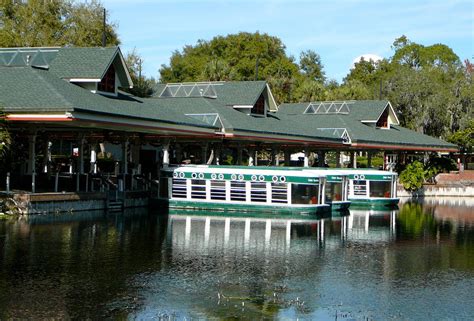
x=338, y=30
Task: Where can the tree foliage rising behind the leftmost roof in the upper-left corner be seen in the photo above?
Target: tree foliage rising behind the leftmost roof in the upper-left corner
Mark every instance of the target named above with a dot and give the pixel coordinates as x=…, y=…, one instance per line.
x=37, y=23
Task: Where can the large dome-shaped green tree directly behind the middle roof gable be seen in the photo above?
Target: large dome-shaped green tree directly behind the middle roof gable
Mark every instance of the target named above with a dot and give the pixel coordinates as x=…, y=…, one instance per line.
x=242, y=56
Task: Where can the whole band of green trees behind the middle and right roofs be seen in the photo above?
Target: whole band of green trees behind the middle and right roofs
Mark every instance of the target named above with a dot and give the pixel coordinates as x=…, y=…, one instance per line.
x=428, y=86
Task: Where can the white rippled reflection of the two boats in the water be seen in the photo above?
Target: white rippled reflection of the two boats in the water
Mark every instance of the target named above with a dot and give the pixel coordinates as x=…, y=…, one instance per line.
x=207, y=230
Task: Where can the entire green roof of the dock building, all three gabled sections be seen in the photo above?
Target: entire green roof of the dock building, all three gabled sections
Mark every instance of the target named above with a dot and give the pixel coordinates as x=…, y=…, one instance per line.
x=31, y=82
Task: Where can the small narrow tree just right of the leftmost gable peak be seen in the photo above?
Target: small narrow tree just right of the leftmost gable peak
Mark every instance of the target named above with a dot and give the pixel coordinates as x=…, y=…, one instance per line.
x=142, y=86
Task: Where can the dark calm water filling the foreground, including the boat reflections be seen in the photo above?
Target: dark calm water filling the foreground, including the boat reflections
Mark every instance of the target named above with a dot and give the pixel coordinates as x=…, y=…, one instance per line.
x=416, y=263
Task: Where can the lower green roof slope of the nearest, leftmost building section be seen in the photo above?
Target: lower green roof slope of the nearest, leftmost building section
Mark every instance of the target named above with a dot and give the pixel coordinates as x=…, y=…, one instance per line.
x=32, y=90
